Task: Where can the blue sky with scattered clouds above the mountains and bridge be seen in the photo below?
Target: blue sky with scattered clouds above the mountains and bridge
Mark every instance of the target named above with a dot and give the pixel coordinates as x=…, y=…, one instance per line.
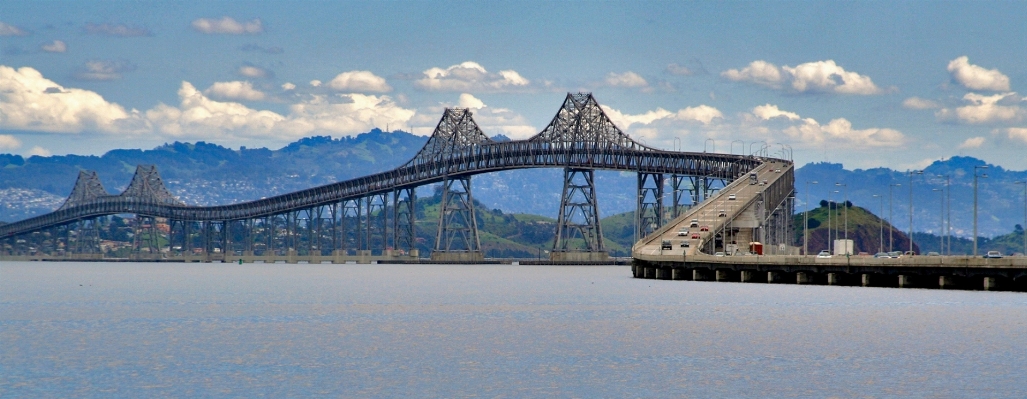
x=866, y=85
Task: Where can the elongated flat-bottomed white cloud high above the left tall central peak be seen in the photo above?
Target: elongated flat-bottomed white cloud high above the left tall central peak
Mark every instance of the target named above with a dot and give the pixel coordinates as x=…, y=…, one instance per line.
x=470, y=77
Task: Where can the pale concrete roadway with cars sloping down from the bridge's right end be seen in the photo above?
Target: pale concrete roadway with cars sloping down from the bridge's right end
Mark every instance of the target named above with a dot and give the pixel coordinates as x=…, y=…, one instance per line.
x=777, y=174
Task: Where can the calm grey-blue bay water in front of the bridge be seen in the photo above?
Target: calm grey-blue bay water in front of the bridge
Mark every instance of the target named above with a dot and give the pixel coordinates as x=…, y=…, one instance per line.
x=444, y=331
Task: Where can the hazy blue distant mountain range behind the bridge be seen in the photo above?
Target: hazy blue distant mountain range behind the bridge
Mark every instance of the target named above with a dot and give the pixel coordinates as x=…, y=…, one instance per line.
x=204, y=174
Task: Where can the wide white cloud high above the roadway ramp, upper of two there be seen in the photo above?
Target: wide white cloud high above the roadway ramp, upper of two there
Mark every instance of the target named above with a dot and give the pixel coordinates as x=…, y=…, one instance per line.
x=821, y=76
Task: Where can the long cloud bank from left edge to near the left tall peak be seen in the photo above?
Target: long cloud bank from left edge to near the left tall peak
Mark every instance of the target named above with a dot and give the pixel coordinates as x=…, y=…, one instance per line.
x=30, y=102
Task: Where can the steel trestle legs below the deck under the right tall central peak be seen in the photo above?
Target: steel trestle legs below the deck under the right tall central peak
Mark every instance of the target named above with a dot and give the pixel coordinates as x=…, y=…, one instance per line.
x=579, y=220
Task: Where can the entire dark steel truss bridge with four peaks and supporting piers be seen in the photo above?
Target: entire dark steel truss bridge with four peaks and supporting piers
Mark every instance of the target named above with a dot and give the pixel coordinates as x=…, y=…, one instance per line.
x=376, y=214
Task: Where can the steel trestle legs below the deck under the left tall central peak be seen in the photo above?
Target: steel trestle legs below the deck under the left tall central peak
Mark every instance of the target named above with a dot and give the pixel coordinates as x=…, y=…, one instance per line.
x=458, y=236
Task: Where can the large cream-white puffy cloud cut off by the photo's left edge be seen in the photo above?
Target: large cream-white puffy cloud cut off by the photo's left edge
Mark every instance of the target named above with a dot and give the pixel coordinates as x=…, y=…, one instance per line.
x=30, y=102
